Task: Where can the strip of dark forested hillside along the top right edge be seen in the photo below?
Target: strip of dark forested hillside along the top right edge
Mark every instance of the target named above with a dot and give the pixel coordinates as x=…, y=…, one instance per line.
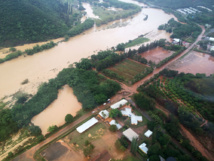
x=174, y=4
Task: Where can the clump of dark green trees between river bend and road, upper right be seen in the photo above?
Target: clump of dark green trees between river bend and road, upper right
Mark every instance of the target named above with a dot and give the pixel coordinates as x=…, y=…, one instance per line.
x=188, y=32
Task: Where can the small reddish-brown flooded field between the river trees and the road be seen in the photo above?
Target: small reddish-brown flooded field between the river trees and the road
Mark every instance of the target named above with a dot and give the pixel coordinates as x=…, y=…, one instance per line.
x=156, y=55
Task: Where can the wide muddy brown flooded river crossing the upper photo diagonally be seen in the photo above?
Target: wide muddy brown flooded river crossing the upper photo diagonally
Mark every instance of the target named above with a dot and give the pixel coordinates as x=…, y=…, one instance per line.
x=45, y=65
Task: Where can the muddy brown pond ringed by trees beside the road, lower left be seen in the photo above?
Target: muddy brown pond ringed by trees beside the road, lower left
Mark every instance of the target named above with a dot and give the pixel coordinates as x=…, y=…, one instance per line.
x=55, y=113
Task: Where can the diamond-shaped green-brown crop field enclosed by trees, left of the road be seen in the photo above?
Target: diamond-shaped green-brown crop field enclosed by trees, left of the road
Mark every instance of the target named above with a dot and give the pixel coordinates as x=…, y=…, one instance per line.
x=128, y=69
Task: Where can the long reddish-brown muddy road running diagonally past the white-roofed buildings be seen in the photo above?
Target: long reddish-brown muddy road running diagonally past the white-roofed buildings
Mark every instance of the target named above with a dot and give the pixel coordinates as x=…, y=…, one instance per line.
x=28, y=155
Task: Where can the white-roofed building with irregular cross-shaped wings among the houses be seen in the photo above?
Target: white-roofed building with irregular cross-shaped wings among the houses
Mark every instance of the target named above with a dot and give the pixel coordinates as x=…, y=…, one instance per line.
x=134, y=119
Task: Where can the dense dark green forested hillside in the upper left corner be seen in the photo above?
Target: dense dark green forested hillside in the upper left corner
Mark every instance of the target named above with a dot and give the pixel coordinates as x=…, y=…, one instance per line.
x=31, y=21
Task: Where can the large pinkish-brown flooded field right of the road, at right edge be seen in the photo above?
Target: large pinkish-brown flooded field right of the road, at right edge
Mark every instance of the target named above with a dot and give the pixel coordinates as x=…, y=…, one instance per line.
x=194, y=62
